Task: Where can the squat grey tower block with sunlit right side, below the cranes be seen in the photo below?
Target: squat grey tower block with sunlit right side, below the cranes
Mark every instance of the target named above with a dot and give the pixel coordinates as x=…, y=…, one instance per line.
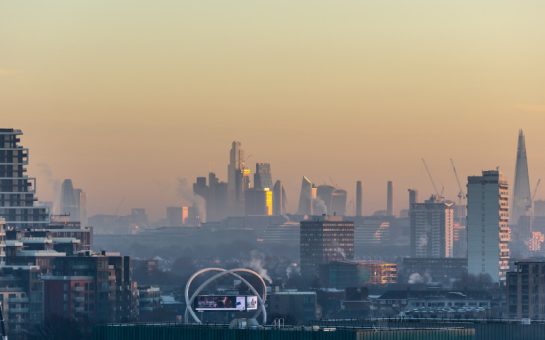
x=432, y=228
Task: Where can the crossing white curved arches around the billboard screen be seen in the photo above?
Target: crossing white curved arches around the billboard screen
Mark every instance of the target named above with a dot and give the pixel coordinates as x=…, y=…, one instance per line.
x=223, y=272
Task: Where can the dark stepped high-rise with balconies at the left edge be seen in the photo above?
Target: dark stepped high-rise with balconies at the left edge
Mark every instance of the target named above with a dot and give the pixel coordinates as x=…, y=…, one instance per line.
x=17, y=190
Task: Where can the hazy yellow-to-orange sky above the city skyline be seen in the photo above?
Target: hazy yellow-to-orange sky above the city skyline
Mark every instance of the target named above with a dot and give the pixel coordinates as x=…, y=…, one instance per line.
x=128, y=97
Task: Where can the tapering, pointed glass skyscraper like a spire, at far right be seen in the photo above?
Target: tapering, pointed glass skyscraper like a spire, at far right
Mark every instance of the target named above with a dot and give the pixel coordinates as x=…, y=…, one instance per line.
x=522, y=200
